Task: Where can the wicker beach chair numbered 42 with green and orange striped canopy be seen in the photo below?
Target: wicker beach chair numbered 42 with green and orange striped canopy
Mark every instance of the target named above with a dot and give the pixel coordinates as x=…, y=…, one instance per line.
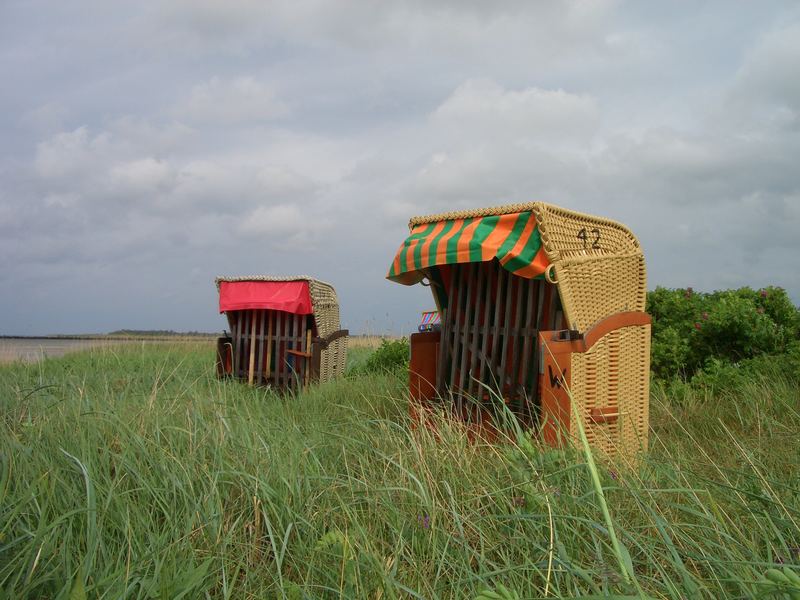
x=541, y=307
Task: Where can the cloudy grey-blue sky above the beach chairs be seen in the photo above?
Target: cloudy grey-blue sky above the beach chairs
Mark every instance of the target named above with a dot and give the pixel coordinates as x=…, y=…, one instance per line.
x=147, y=147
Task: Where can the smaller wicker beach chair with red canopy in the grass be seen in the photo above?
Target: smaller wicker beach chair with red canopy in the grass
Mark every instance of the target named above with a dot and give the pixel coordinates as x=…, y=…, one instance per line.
x=284, y=331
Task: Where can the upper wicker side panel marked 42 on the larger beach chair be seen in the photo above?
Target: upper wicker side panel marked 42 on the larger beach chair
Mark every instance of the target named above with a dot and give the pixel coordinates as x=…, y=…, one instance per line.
x=598, y=264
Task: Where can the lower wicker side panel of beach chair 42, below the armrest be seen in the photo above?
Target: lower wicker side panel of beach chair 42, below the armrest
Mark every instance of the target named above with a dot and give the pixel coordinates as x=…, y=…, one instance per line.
x=615, y=375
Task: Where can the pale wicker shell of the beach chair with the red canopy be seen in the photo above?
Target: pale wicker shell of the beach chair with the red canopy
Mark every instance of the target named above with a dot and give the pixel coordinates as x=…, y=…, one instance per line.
x=326, y=317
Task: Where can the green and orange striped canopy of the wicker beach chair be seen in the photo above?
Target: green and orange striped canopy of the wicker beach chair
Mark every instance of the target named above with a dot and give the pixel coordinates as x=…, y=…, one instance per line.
x=511, y=238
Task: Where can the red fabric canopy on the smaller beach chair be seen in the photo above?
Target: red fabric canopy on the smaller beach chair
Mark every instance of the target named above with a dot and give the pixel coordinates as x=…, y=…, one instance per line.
x=288, y=296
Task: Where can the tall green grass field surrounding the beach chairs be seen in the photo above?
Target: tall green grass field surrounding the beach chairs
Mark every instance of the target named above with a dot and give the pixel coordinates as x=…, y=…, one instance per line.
x=134, y=473
